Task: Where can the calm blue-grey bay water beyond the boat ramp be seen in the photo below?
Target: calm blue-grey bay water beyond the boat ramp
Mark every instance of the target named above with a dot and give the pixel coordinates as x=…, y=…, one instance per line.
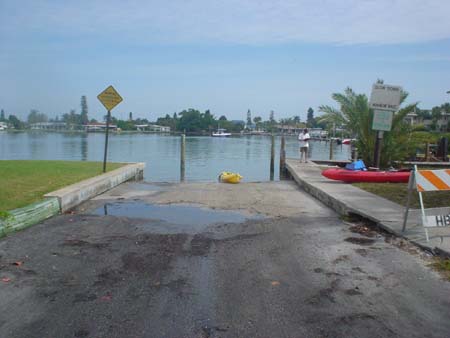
x=206, y=157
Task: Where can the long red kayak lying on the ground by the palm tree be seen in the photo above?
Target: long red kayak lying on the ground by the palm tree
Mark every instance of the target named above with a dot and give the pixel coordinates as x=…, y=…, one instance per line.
x=351, y=176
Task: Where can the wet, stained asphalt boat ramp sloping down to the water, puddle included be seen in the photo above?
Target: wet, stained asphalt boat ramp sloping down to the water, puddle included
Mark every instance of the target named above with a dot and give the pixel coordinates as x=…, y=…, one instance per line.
x=167, y=261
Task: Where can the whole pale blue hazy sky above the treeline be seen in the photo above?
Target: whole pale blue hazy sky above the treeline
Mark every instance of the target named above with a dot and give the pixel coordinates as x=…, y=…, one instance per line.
x=226, y=56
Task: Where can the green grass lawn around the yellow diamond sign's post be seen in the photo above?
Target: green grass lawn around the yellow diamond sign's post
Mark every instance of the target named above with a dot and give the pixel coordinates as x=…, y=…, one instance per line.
x=25, y=182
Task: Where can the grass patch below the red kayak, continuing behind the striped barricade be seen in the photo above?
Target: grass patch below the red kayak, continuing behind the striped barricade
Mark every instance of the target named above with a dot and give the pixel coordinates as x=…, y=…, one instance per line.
x=397, y=193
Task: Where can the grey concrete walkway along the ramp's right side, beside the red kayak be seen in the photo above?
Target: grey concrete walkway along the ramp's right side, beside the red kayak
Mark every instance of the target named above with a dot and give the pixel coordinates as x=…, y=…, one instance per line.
x=346, y=199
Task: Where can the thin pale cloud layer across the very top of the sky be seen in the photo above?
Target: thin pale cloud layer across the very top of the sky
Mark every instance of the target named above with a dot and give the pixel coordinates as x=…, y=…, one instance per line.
x=234, y=21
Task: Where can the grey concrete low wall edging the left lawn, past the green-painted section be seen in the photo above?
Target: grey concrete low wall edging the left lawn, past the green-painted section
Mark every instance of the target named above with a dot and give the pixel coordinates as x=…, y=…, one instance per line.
x=73, y=195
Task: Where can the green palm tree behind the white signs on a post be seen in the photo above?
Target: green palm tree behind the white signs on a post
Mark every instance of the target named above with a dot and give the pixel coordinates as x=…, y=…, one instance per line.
x=356, y=116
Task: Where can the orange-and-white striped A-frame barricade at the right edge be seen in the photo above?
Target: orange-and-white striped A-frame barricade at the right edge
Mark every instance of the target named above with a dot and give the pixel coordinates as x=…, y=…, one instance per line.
x=423, y=181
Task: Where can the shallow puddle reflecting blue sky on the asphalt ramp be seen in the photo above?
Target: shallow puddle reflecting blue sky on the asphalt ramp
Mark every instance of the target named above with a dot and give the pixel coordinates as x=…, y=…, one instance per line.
x=172, y=213
